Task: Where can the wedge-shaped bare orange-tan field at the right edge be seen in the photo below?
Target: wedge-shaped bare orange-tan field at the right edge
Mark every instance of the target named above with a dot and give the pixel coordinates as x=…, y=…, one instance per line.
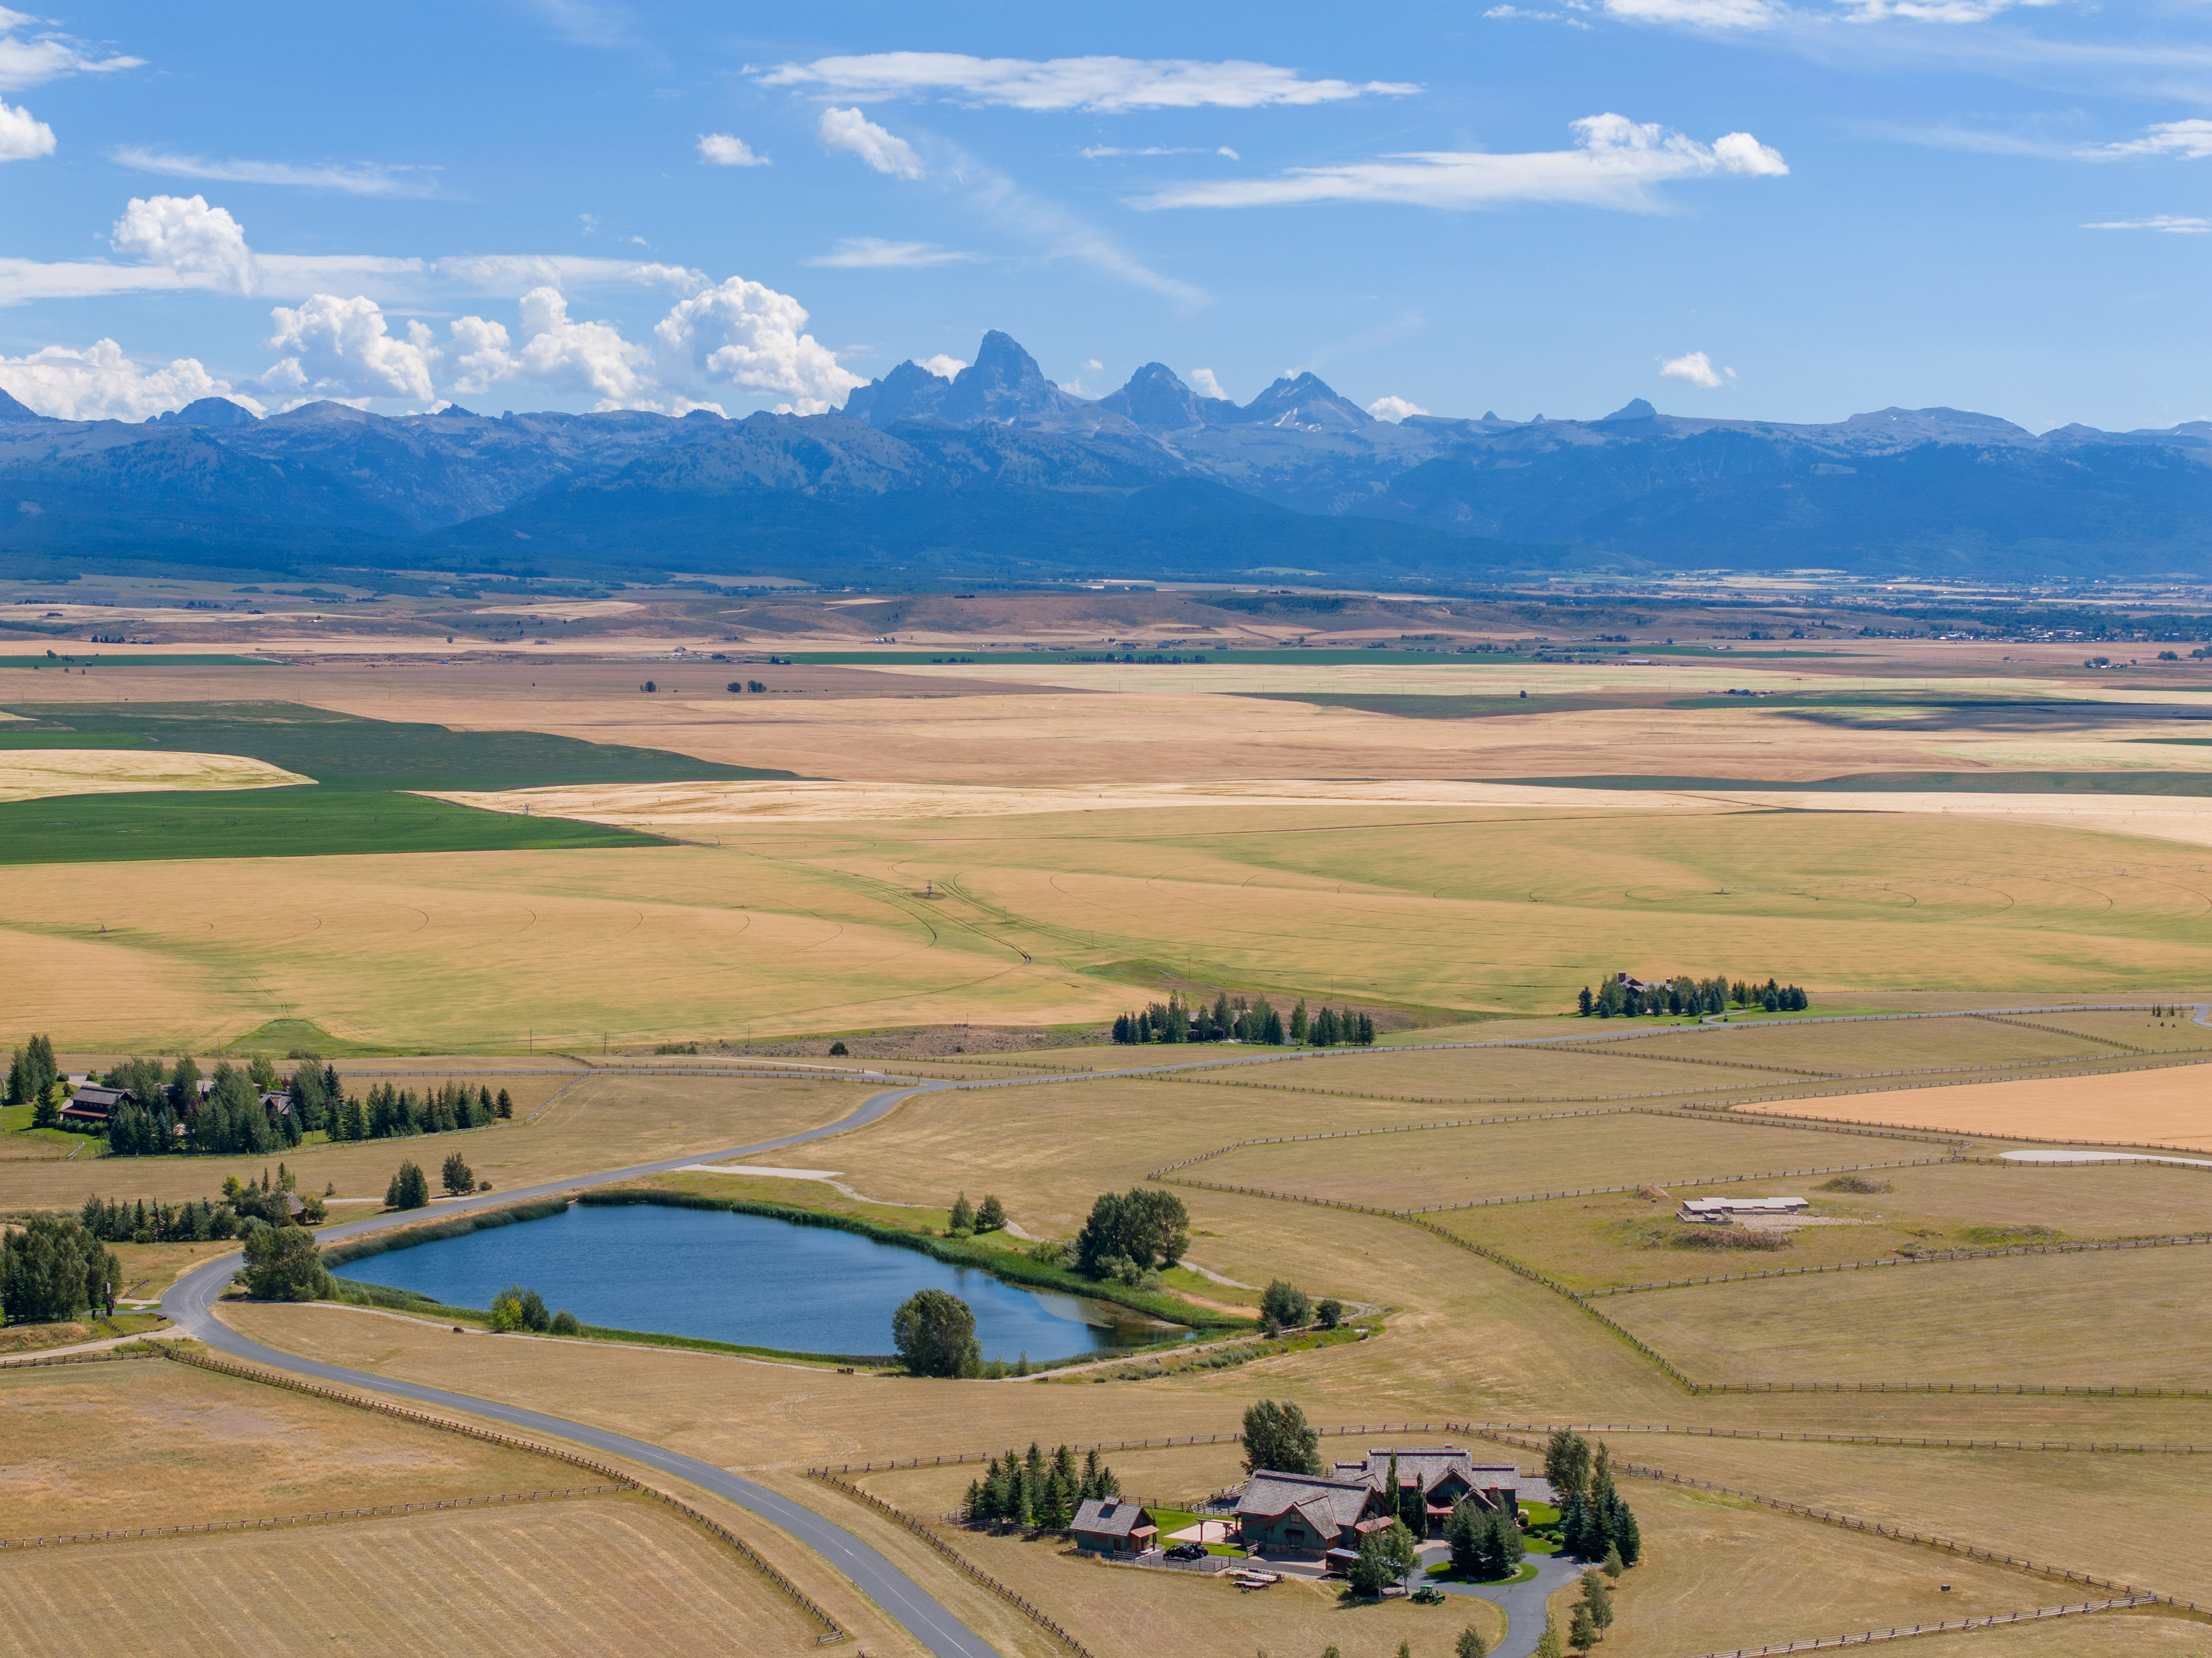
x=2164, y=1106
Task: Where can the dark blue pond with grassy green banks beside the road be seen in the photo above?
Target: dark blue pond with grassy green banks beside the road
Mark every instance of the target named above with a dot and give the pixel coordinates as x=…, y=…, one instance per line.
x=744, y=1279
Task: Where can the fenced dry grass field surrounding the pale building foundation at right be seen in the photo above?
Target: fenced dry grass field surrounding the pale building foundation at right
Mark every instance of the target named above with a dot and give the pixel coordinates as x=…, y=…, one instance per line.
x=1625, y=1239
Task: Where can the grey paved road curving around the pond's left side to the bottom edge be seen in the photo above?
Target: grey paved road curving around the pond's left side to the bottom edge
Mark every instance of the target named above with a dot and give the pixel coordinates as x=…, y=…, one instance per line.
x=191, y=1299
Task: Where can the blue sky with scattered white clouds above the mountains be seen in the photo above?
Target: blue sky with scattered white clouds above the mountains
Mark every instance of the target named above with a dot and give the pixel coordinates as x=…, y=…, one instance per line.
x=1766, y=209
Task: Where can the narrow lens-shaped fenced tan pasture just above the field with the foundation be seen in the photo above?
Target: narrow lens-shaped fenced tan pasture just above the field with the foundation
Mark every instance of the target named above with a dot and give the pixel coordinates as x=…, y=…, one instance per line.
x=1514, y=1159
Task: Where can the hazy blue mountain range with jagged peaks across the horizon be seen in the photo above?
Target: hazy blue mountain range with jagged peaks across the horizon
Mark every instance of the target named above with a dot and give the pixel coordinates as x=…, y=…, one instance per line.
x=999, y=474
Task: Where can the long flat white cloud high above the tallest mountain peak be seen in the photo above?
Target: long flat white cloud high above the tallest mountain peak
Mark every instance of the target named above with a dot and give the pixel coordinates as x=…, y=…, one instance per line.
x=1098, y=85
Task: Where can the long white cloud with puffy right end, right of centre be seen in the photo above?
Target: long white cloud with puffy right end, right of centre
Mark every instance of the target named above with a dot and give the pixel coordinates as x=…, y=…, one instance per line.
x=1614, y=165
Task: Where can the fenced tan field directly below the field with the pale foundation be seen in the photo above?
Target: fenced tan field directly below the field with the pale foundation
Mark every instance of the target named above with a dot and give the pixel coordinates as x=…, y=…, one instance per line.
x=2114, y=1319
